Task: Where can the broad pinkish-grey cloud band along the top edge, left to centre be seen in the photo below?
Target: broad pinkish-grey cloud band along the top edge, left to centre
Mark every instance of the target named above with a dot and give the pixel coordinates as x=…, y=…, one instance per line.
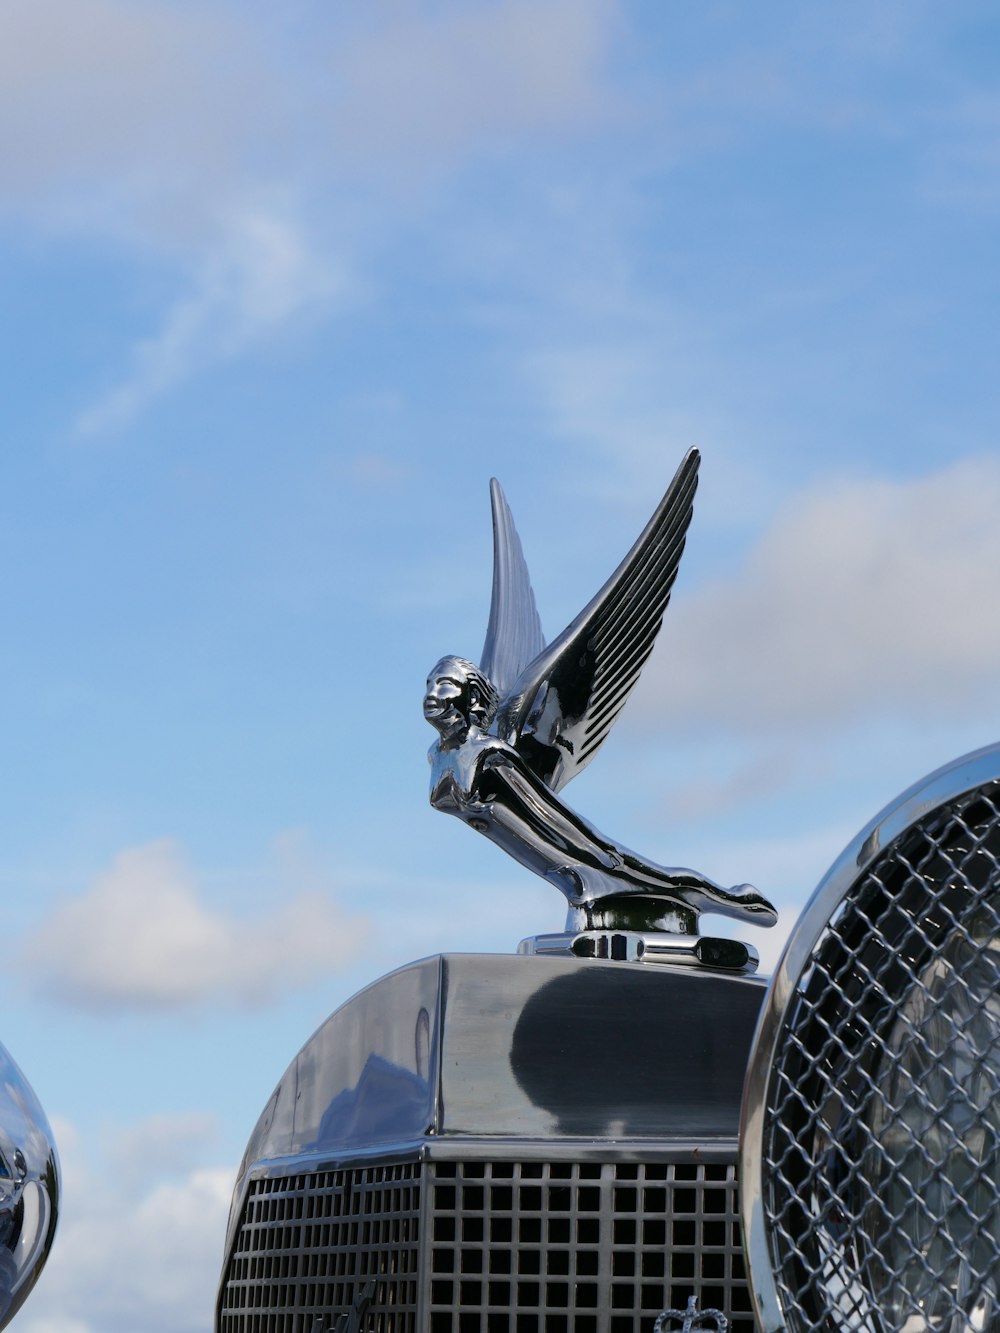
x=125, y=103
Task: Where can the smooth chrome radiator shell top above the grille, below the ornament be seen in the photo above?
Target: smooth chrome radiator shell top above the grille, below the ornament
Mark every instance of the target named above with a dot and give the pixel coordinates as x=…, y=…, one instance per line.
x=530, y=1059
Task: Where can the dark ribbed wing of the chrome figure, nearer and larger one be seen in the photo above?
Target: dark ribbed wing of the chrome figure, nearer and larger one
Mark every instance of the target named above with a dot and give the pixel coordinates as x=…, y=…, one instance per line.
x=566, y=700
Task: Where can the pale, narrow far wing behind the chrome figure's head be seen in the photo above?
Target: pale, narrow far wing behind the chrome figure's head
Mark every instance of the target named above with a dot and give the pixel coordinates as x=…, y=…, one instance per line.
x=514, y=634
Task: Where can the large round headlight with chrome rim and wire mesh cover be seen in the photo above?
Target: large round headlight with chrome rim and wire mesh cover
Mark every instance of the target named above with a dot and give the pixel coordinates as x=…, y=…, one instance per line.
x=871, y=1127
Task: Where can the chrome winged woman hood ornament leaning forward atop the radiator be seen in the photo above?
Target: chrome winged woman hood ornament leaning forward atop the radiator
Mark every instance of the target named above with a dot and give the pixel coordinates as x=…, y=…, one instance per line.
x=517, y=728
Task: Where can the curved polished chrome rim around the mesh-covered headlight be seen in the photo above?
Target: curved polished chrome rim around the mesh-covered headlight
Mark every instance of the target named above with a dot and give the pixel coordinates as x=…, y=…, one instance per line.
x=929, y=795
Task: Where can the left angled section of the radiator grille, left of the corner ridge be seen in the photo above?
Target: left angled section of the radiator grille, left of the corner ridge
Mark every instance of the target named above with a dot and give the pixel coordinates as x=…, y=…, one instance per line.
x=313, y=1247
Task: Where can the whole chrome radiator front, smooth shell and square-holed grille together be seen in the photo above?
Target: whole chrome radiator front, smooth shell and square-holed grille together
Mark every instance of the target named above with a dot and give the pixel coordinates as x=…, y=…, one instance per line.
x=447, y=1120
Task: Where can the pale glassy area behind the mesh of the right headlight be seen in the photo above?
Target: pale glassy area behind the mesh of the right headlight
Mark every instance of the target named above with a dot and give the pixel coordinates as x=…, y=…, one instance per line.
x=934, y=1211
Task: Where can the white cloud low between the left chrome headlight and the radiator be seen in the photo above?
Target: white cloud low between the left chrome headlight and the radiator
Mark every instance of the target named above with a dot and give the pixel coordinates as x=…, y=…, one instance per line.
x=134, y=1250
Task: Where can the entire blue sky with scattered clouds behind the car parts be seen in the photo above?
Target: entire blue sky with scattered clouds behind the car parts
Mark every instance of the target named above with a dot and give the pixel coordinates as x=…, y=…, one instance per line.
x=282, y=289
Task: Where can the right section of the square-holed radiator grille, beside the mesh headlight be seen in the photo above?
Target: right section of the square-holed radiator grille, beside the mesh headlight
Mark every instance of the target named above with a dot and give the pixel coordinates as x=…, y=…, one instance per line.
x=583, y=1247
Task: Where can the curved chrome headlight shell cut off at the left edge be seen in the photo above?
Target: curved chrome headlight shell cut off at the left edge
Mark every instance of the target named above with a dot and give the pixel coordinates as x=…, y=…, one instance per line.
x=29, y=1188
